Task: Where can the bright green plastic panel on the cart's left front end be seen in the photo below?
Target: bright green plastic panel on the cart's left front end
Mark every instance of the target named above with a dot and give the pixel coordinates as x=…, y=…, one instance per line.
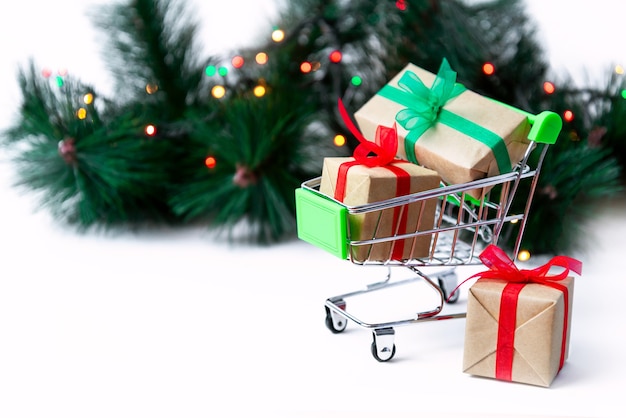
x=322, y=222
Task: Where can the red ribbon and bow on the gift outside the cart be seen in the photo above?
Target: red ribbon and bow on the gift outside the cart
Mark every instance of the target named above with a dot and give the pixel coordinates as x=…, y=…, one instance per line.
x=503, y=268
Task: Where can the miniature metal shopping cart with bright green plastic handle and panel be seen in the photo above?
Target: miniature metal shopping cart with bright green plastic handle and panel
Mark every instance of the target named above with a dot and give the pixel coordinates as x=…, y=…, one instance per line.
x=463, y=226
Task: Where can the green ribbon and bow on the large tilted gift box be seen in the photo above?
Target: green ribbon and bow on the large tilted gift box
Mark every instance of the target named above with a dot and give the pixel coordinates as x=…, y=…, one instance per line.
x=424, y=108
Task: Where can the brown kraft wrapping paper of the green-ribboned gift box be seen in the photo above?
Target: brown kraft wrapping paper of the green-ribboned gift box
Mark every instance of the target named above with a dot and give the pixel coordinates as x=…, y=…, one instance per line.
x=458, y=158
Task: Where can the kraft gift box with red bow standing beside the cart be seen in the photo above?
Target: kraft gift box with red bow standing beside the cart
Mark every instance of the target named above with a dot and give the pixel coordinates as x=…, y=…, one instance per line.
x=518, y=321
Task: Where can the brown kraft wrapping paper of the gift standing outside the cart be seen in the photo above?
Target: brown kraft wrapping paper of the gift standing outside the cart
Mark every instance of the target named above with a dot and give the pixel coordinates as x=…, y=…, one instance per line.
x=538, y=332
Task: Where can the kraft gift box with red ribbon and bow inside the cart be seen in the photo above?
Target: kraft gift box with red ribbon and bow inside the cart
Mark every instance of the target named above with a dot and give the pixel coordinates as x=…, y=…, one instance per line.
x=364, y=179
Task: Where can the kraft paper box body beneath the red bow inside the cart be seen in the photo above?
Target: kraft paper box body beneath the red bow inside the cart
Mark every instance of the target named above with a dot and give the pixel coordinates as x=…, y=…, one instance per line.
x=372, y=184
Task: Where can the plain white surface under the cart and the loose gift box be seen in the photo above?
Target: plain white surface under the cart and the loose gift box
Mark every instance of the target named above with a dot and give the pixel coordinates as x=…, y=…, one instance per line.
x=176, y=324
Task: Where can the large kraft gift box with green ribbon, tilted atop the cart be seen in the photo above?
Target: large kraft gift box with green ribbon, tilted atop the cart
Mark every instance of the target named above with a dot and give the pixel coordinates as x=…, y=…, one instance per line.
x=445, y=127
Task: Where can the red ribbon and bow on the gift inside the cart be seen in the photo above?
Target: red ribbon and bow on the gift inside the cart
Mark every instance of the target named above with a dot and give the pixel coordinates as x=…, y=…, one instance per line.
x=384, y=149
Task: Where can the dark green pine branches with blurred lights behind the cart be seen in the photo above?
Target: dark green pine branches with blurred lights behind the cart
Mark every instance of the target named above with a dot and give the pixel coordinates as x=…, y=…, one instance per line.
x=104, y=170
